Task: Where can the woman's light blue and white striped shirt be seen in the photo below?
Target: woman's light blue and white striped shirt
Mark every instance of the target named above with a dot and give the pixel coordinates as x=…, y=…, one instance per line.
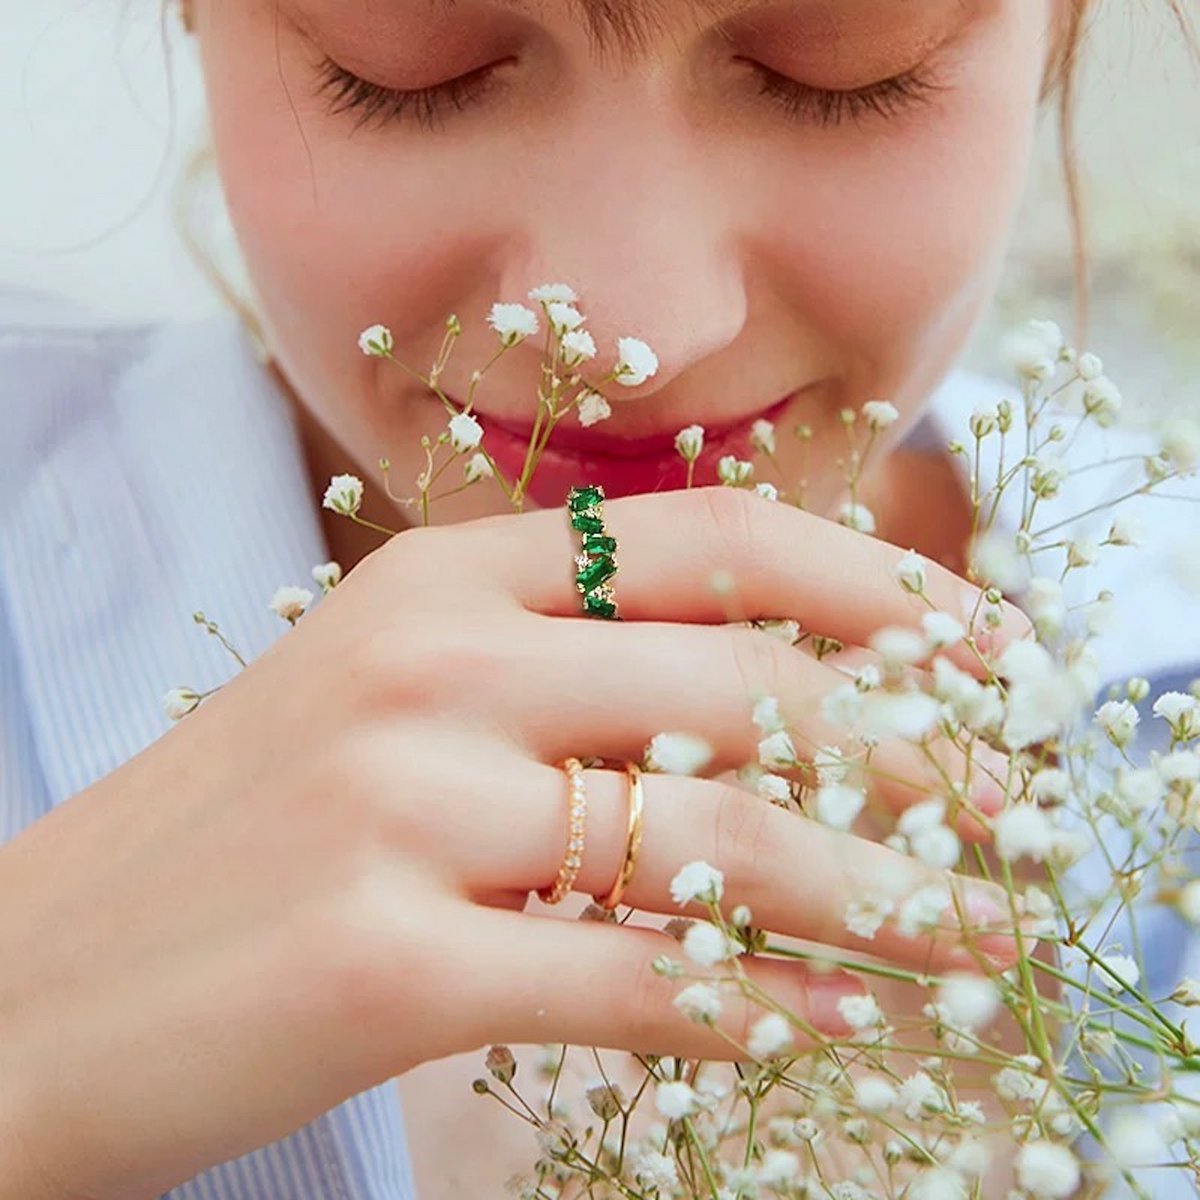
x=153, y=471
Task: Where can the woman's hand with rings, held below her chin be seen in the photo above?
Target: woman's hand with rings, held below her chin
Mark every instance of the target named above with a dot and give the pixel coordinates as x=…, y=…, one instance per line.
x=313, y=883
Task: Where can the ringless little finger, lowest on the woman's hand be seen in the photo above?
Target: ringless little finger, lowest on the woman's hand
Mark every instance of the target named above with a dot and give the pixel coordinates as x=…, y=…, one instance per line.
x=593, y=983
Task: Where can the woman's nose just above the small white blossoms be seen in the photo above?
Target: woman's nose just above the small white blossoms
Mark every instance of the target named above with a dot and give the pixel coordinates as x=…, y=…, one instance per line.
x=649, y=245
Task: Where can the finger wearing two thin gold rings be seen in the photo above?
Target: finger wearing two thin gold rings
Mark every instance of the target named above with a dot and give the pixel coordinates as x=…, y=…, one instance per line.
x=800, y=879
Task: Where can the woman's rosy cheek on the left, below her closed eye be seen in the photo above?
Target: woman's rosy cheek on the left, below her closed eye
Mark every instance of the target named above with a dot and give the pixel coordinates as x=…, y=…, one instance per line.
x=339, y=229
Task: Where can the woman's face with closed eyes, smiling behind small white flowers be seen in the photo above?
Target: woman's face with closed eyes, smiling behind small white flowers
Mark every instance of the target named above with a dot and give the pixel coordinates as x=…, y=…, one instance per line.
x=766, y=242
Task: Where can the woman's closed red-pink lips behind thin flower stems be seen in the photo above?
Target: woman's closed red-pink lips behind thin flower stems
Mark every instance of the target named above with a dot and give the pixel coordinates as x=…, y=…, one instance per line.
x=577, y=457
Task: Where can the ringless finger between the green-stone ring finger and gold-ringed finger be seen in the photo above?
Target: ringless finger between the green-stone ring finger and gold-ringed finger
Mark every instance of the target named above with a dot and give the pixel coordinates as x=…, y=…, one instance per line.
x=628, y=681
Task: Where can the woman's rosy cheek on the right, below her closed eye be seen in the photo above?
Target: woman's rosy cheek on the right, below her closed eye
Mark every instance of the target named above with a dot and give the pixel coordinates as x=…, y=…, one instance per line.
x=895, y=248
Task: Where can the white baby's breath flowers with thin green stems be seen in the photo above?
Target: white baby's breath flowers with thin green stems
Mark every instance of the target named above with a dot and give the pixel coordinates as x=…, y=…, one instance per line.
x=1070, y=1060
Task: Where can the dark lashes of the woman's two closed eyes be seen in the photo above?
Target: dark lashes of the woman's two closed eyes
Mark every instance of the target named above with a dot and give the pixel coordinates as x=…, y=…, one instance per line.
x=800, y=103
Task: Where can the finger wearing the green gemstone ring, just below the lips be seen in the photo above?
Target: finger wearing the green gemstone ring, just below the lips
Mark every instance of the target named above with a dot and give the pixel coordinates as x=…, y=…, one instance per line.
x=783, y=562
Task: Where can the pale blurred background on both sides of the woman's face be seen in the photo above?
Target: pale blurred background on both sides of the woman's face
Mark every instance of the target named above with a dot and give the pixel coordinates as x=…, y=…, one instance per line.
x=97, y=131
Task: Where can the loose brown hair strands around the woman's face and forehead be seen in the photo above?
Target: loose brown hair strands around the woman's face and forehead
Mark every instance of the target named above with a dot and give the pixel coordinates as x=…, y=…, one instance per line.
x=631, y=22
